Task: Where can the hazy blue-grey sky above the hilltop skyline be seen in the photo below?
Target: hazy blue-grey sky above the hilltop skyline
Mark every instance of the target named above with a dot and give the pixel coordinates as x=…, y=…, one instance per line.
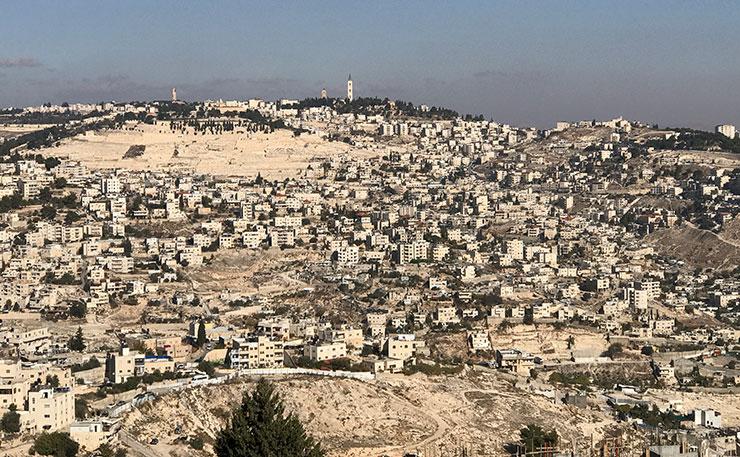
x=522, y=62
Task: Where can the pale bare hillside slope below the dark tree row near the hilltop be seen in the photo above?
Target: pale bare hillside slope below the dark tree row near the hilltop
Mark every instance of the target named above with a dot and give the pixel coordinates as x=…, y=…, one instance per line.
x=275, y=155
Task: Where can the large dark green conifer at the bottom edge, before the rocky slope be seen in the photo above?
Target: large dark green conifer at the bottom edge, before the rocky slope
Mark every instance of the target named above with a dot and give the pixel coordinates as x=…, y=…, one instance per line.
x=260, y=428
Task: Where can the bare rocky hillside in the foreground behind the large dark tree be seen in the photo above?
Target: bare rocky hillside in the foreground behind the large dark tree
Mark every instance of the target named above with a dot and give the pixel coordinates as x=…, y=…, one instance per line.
x=391, y=416
